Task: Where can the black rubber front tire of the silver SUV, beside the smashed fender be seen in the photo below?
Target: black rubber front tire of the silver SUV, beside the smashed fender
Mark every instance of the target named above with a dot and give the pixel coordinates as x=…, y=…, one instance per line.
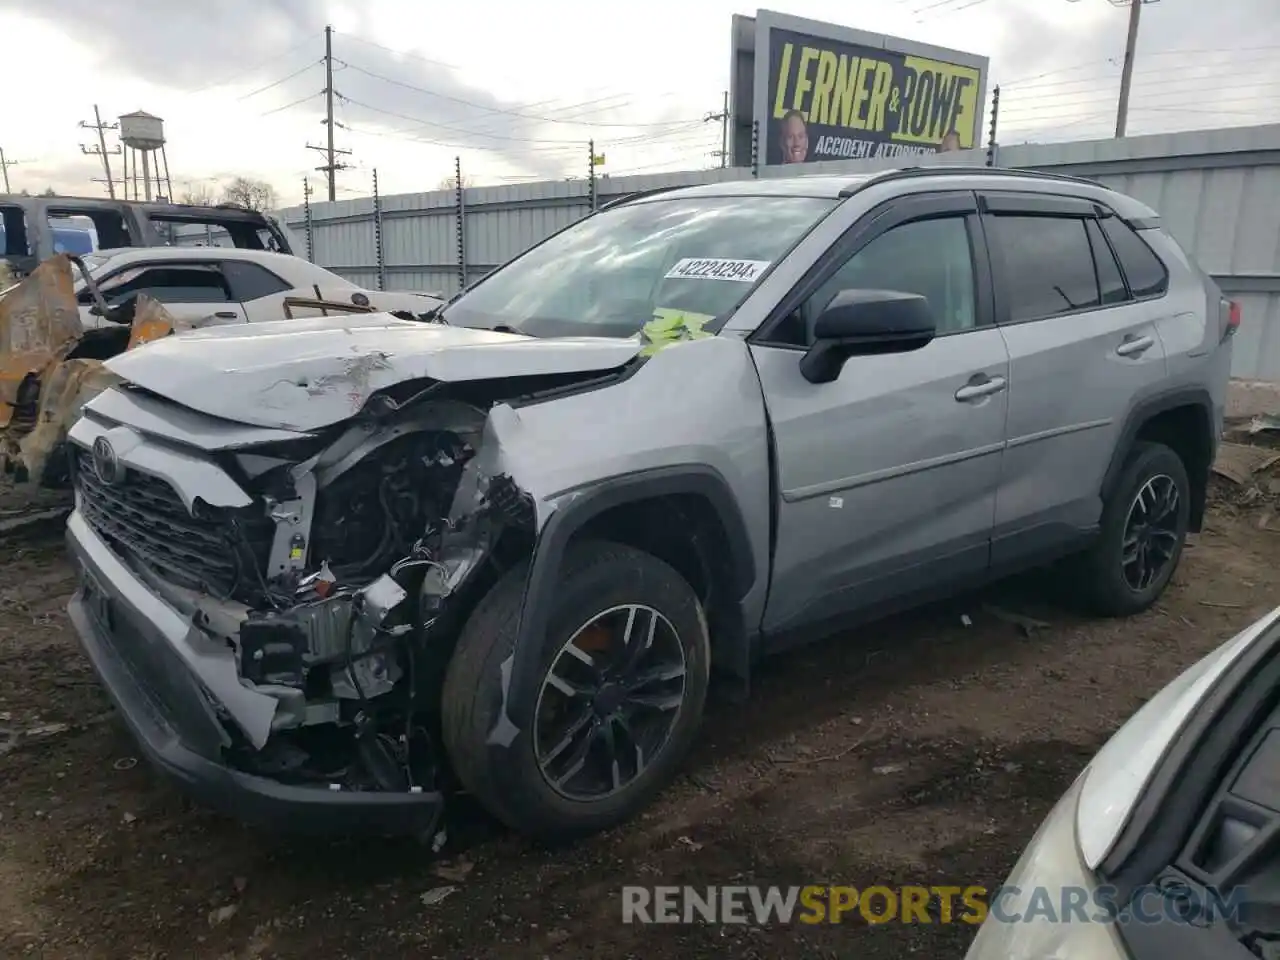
x=510, y=781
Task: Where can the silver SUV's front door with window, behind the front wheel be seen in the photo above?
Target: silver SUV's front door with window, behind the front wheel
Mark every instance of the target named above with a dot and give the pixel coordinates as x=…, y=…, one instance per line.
x=889, y=474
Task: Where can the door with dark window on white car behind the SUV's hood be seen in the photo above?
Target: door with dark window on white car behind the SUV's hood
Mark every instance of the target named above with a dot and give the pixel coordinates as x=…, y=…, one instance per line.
x=191, y=291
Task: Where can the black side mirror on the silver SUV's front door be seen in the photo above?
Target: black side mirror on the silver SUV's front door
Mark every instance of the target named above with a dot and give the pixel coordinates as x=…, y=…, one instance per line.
x=865, y=323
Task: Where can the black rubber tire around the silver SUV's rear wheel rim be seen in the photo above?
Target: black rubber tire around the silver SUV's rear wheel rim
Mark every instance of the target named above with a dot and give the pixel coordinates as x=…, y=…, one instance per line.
x=1110, y=588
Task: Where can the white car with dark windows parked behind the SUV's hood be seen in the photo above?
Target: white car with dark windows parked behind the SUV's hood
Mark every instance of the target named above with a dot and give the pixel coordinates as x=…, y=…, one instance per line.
x=208, y=286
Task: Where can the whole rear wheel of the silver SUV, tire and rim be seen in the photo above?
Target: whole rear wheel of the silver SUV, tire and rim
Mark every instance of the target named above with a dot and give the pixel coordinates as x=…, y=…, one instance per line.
x=1144, y=529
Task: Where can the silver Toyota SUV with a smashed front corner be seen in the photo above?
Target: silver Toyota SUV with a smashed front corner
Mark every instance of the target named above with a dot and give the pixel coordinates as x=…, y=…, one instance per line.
x=339, y=569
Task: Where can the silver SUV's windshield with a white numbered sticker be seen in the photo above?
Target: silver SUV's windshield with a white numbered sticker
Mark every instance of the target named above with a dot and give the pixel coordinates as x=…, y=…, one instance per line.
x=615, y=272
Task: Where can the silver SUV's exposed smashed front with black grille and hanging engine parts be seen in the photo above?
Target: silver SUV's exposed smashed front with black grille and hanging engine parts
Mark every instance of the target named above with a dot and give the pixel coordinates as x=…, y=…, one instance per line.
x=340, y=589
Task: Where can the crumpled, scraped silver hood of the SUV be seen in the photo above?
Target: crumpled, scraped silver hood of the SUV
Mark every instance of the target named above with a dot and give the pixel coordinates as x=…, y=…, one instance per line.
x=313, y=373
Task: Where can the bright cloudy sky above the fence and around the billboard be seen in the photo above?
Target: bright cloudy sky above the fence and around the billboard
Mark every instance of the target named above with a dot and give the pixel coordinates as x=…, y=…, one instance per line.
x=519, y=89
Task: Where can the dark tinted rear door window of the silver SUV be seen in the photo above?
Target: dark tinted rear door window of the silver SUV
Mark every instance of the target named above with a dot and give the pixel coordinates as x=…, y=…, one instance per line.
x=1049, y=266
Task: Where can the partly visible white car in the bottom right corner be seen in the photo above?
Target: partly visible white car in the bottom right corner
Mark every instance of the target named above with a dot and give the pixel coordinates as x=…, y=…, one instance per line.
x=1165, y=847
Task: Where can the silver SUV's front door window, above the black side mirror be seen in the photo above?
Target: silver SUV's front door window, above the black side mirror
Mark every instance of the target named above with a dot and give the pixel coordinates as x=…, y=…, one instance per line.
x=930, y=258
